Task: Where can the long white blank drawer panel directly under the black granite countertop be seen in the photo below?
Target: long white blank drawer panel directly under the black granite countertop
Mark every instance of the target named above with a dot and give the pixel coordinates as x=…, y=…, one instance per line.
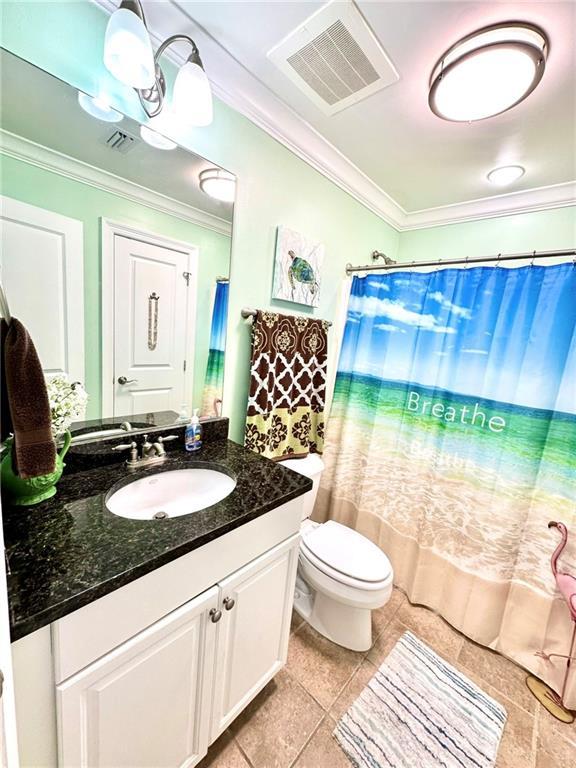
x=88, y=633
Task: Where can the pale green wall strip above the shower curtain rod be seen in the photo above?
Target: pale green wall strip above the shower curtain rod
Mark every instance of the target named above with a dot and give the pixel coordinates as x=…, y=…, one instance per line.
x=553, y=229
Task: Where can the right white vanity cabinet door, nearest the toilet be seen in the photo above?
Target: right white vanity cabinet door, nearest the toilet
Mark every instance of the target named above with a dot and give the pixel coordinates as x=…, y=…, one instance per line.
x=253, y=634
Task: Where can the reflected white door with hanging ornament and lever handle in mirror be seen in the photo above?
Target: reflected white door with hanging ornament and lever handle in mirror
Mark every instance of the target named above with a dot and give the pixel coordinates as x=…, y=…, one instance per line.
x=150, y=326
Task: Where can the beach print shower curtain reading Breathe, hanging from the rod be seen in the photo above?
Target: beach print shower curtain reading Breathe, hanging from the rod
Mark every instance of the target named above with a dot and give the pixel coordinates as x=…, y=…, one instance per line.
x=452, y=442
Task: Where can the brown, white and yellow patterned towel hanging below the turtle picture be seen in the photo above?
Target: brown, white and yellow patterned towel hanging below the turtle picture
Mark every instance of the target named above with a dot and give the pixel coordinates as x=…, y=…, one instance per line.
x=287, y=386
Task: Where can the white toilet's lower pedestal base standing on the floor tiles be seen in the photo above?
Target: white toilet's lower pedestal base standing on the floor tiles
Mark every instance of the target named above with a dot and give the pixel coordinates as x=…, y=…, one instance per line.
x=342, y=624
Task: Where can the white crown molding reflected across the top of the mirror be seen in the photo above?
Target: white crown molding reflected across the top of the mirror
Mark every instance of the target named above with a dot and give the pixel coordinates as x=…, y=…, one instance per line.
x=71, y=168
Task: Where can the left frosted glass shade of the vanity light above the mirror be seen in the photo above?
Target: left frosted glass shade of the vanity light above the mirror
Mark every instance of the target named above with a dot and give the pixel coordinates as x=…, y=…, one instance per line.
x=128, y=51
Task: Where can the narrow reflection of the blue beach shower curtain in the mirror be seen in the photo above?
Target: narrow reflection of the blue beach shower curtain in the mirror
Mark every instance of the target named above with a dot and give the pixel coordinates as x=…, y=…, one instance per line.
x=214, y=379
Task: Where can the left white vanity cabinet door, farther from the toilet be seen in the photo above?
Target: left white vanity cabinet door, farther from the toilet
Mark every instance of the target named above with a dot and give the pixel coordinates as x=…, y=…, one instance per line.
x=147, y=703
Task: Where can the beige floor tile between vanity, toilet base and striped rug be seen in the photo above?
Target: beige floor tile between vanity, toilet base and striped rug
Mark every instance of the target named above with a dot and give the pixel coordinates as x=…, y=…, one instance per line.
x=322, y=667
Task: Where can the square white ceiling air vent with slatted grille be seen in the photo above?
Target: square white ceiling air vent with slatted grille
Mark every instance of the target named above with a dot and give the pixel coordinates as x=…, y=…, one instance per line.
x=334, y=58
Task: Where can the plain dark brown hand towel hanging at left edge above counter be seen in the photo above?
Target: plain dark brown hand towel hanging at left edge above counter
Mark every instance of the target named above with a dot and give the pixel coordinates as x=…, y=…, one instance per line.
x=34, y=450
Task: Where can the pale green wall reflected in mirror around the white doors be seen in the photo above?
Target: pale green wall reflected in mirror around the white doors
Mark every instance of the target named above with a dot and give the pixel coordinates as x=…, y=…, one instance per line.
x=48, y=190
